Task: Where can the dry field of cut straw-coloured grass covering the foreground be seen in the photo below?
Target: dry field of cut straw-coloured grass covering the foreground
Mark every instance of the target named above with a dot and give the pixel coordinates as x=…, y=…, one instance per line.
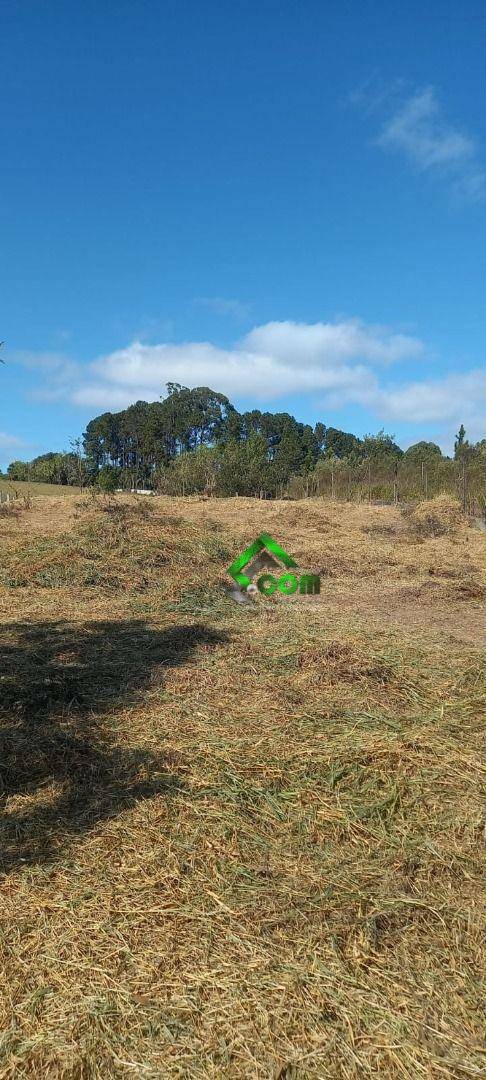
x=240, y=841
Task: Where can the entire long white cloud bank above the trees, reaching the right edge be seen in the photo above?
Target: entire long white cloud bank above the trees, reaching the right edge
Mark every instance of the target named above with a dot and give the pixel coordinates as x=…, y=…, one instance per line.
x=341, y=363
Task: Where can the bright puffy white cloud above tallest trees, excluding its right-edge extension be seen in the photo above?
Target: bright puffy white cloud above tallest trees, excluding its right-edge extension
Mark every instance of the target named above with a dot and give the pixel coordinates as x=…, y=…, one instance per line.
x=272, y=361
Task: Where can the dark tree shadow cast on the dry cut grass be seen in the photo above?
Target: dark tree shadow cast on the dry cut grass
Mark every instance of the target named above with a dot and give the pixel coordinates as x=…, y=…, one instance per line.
x=61, y=771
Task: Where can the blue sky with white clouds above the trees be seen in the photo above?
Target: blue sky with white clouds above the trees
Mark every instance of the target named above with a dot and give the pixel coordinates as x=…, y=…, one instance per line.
x=285, y=201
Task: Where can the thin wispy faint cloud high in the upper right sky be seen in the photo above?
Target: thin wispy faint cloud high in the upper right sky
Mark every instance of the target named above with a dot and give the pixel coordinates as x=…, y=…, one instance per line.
x=418, y=129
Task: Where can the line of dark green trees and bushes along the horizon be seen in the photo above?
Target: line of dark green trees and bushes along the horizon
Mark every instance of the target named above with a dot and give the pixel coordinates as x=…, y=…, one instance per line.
x=196, y=441
